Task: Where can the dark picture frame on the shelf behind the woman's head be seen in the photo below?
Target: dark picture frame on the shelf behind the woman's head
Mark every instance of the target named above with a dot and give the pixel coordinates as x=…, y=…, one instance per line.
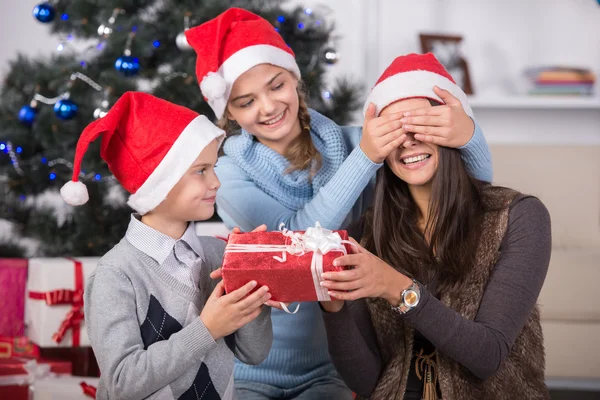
x=447, y=49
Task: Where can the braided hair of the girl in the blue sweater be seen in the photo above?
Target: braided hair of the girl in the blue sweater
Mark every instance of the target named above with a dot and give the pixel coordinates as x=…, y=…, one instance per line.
x=302, y=153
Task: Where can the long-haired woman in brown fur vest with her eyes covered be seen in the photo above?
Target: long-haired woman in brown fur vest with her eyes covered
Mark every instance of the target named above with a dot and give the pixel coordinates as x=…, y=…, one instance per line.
x=446, y=282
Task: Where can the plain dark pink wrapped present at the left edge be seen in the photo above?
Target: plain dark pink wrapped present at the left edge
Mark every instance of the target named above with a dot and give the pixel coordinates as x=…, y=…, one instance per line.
x=13, y=278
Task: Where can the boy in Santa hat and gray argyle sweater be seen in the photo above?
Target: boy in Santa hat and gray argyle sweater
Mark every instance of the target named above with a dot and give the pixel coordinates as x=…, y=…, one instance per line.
x=156, y=329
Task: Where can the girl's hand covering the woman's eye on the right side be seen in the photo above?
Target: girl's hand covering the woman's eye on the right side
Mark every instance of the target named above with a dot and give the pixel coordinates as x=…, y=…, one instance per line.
x=446, y=125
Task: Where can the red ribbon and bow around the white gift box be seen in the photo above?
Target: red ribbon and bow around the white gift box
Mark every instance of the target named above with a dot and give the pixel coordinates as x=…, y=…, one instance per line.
x=67, y=296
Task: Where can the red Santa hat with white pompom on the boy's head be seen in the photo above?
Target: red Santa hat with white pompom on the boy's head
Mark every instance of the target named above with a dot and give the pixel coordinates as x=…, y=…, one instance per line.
x=148, y=144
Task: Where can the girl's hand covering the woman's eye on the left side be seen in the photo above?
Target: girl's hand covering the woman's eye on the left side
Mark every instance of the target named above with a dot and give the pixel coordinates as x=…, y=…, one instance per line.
x=381, y=135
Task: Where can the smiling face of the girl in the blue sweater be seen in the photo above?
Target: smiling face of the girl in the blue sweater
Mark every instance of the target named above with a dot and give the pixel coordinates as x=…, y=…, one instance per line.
x=264, y=102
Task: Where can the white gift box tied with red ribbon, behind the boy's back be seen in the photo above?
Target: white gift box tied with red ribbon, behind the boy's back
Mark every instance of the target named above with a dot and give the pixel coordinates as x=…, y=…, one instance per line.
x=54, y=301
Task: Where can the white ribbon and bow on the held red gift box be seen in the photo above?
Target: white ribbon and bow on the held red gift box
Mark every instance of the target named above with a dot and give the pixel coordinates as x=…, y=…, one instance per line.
x=316, y=239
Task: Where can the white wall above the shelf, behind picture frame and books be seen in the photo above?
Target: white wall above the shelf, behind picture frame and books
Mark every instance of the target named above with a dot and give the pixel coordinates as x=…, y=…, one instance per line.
x=501, y=38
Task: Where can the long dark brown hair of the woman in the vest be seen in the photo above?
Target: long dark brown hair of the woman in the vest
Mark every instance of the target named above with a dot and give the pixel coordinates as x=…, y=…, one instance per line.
x=456, y=209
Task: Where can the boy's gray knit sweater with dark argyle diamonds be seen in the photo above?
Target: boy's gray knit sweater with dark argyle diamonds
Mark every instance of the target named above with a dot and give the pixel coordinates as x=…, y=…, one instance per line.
x=147, y=336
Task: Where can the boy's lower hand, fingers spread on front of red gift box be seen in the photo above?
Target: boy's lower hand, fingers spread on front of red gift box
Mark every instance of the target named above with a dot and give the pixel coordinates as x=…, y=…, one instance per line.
x=224, y=314
